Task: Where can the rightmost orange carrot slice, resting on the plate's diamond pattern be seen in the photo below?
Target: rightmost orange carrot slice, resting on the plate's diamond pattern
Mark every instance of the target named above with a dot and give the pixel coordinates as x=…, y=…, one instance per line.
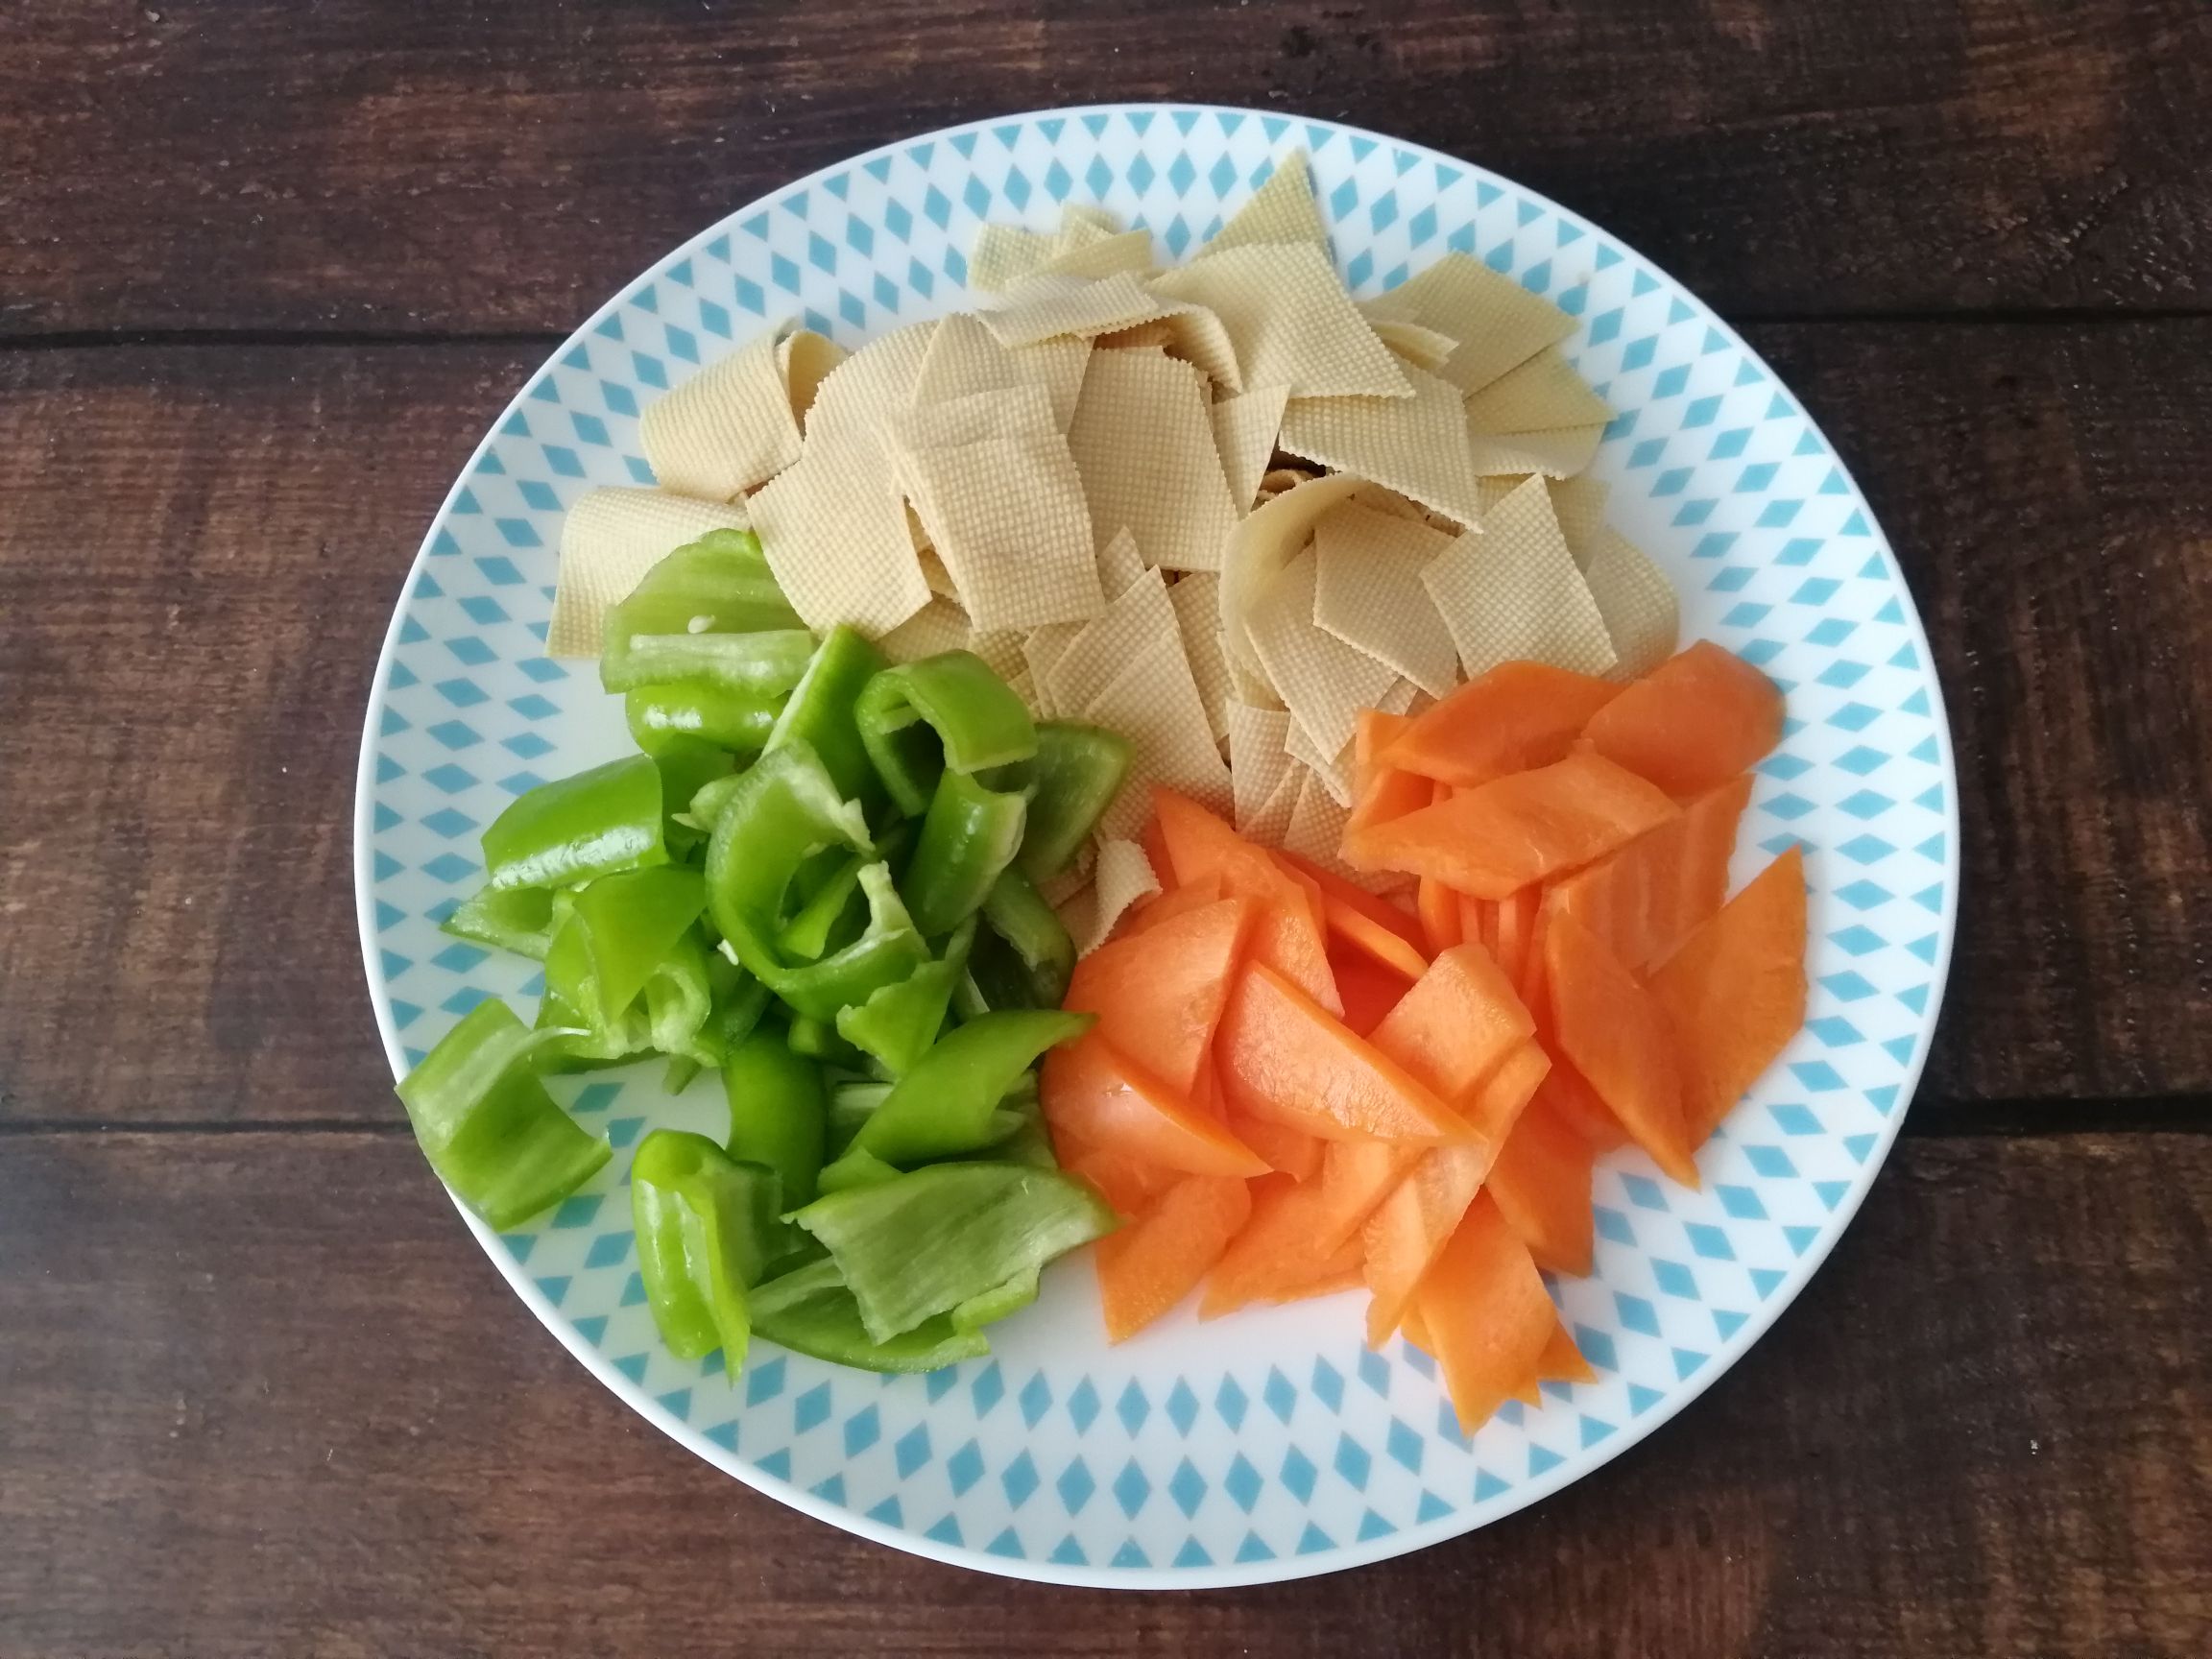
x=1735, y=994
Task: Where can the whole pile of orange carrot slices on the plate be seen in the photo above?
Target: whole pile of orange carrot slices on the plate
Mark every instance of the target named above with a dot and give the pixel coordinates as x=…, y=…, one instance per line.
x=1297, y=1087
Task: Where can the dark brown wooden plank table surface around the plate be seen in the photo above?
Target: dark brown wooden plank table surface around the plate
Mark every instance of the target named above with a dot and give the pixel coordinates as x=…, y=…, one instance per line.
x=267, y=271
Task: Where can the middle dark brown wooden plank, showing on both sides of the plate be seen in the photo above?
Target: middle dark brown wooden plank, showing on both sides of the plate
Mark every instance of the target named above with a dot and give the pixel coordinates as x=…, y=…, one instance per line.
x=200, y=550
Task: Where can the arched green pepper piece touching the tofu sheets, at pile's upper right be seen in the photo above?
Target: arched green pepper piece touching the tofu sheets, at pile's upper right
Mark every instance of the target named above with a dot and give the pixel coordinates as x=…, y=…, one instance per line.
x=939, y=713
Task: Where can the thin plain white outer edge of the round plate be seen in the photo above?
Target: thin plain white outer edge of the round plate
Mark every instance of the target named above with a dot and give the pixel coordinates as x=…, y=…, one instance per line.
x=1222, y=1574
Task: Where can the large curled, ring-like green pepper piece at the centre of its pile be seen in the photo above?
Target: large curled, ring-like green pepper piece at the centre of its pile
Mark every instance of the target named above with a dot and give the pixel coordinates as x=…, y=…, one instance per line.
x=782, y=813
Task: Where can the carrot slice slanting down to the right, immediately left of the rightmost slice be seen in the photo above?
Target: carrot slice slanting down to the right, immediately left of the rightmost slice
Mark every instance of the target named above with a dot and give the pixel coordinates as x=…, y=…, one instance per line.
x=1620, y=1039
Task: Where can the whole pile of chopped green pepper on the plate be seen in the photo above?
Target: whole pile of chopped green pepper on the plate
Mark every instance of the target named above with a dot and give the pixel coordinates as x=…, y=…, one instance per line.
x=820, y=877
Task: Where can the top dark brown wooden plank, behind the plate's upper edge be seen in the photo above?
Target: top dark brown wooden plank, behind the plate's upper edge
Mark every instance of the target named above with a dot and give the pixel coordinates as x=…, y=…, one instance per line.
x=508, y=167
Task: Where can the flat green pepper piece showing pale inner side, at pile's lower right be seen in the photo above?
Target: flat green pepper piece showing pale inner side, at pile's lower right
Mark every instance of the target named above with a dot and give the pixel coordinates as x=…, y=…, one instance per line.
x=950, y=1235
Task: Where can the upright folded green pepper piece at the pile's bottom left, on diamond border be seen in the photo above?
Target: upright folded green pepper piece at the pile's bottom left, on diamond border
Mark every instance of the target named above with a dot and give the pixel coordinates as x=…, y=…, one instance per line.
x=707, y=1229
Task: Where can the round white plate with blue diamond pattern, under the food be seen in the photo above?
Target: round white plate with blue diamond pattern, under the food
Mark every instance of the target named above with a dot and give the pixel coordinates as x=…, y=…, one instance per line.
x=1273, y=1443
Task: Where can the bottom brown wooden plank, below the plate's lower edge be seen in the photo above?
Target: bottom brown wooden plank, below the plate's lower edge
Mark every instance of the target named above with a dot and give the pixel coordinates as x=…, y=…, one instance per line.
x=264, y=1399
